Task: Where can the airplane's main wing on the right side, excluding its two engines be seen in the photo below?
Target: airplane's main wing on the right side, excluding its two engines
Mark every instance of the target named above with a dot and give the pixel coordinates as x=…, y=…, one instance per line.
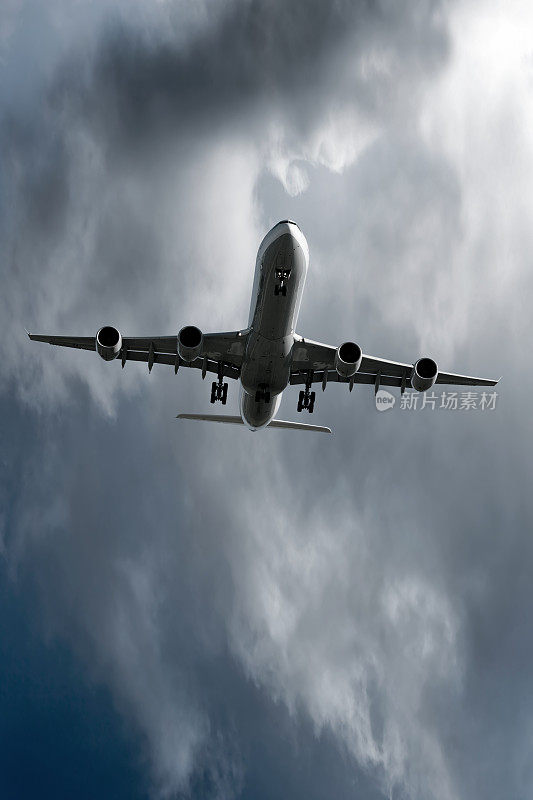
x=315, y=362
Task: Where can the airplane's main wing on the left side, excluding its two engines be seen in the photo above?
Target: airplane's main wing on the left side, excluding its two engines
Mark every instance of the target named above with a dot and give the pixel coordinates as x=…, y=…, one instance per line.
x=221, y=352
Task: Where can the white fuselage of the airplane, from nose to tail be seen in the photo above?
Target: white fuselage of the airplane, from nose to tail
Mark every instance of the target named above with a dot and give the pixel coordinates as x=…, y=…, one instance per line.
x=265, y=370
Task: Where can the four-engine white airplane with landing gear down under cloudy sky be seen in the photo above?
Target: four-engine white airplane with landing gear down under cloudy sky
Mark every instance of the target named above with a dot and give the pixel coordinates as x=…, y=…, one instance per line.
x=268, y=355
